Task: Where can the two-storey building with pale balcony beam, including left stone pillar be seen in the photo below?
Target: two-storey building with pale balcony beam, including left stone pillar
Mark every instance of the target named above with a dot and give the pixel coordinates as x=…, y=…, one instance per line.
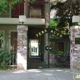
x=18, y=36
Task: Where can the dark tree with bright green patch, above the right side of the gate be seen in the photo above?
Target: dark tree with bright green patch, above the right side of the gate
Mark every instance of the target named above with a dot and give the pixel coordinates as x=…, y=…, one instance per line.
x=64, y=12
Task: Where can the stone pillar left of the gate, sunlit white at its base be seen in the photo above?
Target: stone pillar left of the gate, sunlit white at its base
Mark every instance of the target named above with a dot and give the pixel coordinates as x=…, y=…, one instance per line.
x=22, y=47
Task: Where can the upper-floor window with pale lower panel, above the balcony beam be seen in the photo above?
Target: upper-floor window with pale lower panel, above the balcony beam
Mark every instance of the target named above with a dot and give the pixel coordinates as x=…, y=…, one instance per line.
x=36, y=11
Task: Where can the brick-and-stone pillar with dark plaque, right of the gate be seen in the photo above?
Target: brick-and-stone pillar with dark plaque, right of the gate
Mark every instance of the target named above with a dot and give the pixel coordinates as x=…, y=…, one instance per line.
x=75, y=47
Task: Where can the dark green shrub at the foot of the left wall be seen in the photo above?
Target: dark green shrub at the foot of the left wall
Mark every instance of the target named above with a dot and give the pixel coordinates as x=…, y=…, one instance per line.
x=5, y=58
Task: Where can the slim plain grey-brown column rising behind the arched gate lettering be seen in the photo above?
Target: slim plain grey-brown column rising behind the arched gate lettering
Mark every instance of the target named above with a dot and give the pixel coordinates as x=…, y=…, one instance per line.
x=47, y=19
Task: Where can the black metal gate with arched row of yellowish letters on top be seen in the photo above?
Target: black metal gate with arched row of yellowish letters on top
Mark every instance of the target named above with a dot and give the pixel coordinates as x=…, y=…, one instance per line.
x=61, y=45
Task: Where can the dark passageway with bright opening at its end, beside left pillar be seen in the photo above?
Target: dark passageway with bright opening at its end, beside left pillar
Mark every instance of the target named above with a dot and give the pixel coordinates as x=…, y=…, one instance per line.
x=35, y=48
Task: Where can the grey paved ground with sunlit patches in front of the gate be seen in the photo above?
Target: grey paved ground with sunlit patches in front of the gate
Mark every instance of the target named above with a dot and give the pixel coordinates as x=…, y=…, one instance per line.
x=39, y=74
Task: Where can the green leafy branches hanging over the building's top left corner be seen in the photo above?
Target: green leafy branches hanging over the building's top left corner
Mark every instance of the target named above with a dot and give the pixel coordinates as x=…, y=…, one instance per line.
x=6, y=5
